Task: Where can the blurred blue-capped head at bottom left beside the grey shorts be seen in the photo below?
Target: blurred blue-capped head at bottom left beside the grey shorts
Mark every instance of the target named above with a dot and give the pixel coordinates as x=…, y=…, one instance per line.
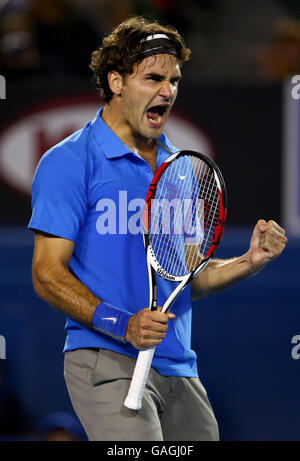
x=60, y=427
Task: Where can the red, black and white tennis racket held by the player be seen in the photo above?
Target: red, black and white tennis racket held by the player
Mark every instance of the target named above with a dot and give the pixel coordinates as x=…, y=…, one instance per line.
x=183, y=221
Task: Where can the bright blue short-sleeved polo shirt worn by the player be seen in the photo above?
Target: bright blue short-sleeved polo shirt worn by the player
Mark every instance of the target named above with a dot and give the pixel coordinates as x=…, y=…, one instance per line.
x=90, y=189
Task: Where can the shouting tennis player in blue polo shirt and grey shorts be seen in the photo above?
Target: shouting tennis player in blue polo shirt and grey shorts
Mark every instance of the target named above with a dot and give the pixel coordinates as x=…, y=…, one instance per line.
x=89, y=259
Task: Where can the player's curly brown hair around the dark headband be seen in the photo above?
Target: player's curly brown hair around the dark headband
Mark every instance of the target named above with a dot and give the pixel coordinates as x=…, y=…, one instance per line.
x=123, y=43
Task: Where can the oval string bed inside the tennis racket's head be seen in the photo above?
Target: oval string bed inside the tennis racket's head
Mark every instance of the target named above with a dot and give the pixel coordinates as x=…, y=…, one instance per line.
x=185, y=214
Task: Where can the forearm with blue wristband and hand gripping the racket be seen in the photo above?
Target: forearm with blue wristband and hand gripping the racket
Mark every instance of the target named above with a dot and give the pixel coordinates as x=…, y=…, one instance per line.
x=62, y=290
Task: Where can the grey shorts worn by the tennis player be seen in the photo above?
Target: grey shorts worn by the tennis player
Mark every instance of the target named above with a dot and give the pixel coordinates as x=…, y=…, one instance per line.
x=174, y=408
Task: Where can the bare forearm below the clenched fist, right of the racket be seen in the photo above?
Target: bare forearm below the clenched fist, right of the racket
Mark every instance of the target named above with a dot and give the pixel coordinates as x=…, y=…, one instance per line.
x=220, y=274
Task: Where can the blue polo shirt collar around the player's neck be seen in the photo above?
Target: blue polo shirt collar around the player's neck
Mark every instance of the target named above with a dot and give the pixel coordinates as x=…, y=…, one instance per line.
x=111, y=144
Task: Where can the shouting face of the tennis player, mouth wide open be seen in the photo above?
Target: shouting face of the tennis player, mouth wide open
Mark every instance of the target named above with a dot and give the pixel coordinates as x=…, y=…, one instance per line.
x=148, y=95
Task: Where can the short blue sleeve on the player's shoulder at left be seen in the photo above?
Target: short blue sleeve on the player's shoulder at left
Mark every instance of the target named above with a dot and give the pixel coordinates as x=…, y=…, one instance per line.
x=58, y=193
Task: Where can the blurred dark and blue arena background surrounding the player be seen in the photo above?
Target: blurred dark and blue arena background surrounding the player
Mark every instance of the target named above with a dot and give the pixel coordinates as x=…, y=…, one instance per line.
x=239, y=102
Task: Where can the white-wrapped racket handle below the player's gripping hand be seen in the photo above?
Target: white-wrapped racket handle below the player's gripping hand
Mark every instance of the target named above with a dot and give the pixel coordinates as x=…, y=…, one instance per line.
x=139, y=379
